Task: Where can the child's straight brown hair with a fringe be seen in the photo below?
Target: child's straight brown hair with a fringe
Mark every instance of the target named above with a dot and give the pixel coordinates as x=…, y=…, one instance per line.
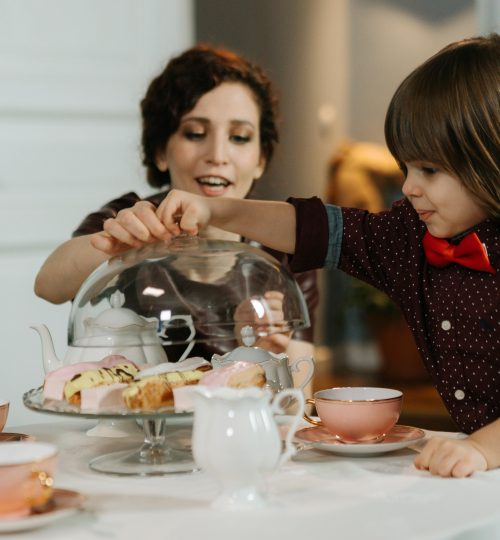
x=447, y=112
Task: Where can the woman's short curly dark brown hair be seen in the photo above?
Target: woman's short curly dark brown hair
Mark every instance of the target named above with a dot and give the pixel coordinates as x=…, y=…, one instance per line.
x=180, y=85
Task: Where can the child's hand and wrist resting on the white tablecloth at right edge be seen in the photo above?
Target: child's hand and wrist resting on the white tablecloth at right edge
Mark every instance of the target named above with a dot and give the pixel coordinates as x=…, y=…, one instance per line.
x=451, y=457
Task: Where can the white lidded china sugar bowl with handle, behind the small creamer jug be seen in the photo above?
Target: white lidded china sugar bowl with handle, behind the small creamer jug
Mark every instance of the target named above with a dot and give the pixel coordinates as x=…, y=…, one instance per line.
x=279, y=371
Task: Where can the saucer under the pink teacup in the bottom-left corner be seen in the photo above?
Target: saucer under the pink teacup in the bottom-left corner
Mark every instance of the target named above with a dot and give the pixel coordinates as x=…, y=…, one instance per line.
x=64, y=503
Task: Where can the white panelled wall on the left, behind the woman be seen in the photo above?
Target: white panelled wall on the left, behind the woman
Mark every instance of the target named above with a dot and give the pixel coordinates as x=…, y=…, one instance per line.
x=72, y=74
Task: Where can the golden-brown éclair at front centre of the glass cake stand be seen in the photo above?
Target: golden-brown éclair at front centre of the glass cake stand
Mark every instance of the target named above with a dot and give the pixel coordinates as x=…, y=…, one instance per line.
x=157, y=390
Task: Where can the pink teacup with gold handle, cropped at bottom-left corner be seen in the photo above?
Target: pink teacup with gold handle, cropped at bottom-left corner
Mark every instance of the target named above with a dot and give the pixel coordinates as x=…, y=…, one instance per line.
x=26, y=476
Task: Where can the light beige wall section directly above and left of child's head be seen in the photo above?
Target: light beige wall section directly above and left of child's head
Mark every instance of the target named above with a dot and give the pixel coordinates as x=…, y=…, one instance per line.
x=388, y=39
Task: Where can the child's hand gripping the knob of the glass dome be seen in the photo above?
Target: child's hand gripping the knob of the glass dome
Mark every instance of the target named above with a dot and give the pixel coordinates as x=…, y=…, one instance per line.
x=183, y=211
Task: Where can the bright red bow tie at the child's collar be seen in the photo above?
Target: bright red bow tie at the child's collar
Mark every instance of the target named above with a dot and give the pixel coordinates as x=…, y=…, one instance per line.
x=469, y=252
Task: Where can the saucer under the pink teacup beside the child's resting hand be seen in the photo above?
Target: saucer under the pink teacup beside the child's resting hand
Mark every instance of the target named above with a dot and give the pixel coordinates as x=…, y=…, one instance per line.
x=399, y=437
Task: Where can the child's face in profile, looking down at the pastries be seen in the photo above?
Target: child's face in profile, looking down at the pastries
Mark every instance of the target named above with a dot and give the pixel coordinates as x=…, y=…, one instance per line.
x=441, y=201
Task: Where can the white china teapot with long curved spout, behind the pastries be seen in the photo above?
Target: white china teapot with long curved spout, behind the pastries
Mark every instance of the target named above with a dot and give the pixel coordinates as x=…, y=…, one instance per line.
x=116, y=330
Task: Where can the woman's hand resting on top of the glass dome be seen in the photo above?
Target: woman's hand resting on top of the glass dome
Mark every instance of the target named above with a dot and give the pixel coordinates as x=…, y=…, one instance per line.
x=132, y=227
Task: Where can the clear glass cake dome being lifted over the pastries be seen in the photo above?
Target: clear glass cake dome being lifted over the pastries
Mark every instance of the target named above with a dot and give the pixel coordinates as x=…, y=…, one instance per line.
x=189, y=297
